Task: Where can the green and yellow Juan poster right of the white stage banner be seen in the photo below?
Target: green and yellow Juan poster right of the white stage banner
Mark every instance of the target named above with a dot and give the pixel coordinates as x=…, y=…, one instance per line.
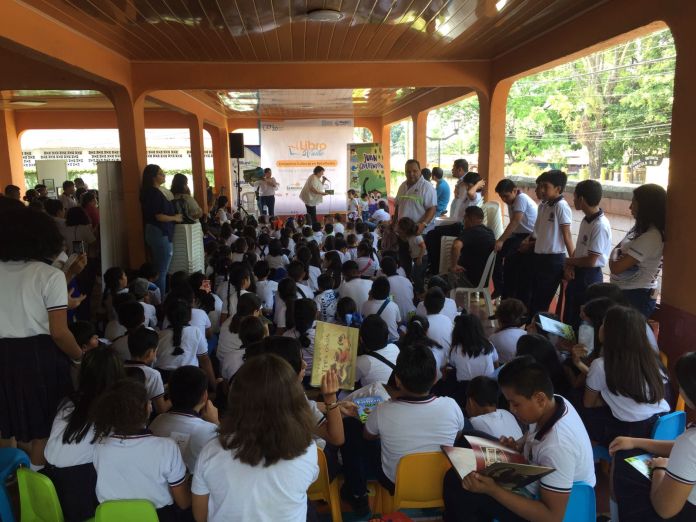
x=367, y=170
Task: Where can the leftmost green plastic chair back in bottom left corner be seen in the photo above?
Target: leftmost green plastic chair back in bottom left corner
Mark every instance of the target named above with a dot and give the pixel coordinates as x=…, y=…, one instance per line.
x=37, y=497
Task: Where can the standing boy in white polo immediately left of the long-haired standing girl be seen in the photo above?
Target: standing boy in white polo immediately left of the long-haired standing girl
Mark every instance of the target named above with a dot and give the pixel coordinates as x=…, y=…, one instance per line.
x=592, y=249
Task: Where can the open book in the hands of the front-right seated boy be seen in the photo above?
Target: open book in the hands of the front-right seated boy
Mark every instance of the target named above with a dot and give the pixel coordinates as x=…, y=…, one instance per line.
x=507, y=467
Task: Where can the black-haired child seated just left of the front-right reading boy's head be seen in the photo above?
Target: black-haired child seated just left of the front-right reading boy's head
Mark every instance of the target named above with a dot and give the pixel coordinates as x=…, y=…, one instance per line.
x=482, y=396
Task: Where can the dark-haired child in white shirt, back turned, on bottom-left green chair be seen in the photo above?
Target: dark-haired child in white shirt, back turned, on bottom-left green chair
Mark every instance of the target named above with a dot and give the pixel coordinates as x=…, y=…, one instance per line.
x=132, y=463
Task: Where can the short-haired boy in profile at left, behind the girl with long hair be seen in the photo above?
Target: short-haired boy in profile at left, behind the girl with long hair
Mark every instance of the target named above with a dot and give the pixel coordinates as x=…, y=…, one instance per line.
x=142, y=345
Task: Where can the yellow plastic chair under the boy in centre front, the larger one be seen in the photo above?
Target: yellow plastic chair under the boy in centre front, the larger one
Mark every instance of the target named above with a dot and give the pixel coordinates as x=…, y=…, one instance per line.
x=418, y=483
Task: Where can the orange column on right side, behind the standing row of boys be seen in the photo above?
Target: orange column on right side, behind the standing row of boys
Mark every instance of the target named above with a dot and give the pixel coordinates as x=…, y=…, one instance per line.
x=492, y=109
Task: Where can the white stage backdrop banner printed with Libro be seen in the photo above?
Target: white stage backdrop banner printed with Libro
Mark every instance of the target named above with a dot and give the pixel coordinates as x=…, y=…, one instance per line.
x=292, y=148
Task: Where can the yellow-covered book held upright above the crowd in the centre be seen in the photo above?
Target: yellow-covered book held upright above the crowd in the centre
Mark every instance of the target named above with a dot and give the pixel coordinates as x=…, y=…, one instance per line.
x=336, y=347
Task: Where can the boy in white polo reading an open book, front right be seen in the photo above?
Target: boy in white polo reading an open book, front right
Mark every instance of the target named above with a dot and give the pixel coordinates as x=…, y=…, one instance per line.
x=557, y=438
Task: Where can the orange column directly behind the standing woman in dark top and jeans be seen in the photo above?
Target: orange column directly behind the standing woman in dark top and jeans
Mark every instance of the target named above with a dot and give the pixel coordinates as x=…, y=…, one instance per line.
x=130, y=115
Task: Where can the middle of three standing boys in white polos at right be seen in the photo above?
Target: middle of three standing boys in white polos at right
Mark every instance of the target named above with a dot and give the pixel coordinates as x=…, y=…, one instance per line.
x=553, y=239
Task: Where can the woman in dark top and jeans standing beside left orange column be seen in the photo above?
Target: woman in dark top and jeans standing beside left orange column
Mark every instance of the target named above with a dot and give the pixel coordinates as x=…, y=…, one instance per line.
x=159, y=219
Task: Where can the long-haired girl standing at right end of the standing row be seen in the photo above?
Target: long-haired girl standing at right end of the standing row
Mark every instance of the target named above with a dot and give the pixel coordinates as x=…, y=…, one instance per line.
x=636, y=262
